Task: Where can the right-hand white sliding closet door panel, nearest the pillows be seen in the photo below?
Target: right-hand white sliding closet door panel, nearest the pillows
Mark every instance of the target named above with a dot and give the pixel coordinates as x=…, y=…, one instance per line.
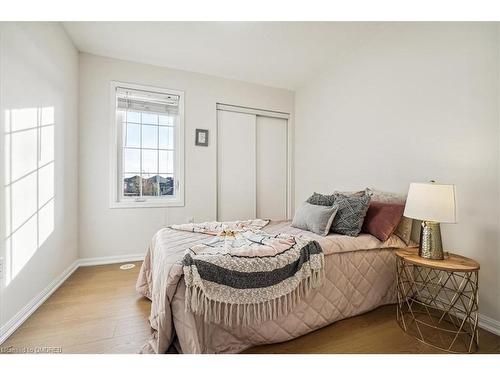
x=271, y=168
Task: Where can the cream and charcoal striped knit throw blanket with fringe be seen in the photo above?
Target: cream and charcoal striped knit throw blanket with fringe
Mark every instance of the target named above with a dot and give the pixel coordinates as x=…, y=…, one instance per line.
x=246, y=276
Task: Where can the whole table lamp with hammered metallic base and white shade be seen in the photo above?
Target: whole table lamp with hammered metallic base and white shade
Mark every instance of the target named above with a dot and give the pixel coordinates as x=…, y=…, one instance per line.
x=433, y=204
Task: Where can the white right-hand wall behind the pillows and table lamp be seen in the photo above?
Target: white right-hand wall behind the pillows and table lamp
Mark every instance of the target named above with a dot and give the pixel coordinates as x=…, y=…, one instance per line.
x=416, y=102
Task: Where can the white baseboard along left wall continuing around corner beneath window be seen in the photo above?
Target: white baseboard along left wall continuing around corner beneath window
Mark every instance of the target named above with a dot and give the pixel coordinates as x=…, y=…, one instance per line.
x=15, y=322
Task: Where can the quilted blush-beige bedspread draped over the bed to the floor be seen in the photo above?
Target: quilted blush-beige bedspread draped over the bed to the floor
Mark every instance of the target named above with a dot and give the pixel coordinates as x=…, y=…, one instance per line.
x=359, y=276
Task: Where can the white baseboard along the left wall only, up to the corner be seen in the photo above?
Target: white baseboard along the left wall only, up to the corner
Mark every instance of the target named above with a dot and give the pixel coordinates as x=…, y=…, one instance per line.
x=15, y=322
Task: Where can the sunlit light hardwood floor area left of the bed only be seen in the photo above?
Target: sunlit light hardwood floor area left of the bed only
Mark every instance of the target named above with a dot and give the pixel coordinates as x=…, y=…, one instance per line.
x=96, y=310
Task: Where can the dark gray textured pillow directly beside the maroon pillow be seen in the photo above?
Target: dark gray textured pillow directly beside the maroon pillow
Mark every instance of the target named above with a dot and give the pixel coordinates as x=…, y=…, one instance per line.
x=351, y=213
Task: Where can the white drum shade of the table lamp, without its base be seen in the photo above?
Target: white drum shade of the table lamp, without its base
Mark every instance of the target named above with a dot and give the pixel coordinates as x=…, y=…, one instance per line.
x=431, y=202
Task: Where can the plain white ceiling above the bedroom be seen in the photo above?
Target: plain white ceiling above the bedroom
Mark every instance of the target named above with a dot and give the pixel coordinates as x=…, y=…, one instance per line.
x=279, y=54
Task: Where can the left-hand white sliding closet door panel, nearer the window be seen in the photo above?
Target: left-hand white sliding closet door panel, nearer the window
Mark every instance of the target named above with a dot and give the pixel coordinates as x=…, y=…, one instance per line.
x=236, y=186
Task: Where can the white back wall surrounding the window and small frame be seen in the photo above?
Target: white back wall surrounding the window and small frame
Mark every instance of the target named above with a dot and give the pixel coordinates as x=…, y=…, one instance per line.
x=114, y=232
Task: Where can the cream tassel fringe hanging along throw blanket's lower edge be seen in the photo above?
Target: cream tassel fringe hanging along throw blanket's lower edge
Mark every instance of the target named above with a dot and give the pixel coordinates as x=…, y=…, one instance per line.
x=249, y=313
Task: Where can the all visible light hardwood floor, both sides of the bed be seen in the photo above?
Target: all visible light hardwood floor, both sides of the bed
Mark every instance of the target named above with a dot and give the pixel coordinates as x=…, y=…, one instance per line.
x=97, y=310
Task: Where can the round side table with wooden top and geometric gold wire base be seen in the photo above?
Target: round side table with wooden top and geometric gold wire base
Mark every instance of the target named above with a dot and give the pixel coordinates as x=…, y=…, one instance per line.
x=438, y=300
